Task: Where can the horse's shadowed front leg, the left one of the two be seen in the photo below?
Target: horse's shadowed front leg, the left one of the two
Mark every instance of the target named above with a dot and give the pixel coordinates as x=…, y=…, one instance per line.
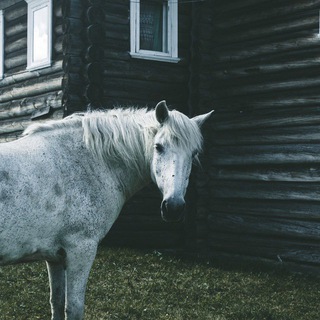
x=57, y=283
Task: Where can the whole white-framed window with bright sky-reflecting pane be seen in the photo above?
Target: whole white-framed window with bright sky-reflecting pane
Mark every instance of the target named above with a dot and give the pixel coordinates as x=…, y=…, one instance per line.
x=39, y=33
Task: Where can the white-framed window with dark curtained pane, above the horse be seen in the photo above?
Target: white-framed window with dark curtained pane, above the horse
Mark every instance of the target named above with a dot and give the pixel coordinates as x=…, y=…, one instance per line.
x=154, y=29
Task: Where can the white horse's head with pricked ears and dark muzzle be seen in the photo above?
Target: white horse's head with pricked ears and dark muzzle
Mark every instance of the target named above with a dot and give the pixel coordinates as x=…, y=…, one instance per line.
x=176, y=145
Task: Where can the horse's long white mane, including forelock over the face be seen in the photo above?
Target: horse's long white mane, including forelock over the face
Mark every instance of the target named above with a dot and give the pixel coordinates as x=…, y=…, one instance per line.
x=127, y=135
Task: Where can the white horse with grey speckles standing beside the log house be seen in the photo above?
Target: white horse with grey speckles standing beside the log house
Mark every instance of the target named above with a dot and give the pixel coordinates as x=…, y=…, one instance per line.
x=64, y=183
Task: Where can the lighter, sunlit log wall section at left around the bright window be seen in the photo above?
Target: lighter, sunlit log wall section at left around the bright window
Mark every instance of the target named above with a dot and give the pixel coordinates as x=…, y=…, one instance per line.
x=27, y=94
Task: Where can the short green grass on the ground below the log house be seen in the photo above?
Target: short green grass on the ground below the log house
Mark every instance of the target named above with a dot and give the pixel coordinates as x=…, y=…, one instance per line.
x=130, y=284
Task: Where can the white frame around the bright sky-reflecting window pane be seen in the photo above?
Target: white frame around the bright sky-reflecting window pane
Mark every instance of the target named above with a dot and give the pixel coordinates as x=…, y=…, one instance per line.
x=33, y=6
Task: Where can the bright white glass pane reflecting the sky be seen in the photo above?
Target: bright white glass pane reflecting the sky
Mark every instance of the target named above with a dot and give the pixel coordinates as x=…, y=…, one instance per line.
x=40, y=34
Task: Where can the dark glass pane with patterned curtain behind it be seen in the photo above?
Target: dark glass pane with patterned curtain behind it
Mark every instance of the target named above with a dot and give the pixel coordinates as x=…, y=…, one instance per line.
x=153, y=25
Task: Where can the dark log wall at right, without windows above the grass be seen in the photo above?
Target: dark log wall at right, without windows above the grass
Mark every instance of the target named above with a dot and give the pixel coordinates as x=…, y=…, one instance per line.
x=265, y=167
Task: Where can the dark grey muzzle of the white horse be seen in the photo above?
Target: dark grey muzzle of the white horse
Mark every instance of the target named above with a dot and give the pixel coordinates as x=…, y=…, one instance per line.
x=172, y=210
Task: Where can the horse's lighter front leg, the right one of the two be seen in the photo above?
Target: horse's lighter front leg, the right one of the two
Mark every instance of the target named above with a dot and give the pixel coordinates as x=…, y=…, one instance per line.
x=78, y=264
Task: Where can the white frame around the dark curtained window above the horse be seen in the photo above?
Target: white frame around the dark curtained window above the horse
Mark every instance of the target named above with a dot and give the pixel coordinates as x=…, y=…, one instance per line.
x=171, y=29
